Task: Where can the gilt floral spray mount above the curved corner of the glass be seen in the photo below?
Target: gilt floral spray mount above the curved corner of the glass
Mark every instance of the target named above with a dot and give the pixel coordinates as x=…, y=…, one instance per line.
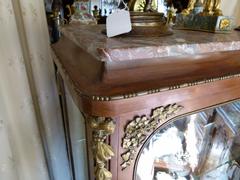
x=138, y=129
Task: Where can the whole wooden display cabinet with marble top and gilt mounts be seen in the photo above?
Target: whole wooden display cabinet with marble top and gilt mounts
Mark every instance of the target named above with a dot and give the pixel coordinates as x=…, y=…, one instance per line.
x=155, y=107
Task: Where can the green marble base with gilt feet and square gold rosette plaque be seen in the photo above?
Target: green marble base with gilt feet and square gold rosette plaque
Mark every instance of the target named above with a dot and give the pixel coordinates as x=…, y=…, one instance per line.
x=206, y=16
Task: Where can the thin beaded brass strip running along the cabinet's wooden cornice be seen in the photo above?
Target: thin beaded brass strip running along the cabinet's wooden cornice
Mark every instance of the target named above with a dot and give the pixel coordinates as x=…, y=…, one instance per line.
x=152, y=91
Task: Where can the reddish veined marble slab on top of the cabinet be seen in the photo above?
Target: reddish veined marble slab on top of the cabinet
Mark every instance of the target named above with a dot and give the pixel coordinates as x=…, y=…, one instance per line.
x=182, y=42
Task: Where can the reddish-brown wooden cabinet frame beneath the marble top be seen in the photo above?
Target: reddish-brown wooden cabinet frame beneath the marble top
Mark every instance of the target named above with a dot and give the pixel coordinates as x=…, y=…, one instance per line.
x=114, y=94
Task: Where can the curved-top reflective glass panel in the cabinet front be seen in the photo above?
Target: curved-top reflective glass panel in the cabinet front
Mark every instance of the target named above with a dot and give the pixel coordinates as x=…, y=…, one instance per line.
x=203, y=146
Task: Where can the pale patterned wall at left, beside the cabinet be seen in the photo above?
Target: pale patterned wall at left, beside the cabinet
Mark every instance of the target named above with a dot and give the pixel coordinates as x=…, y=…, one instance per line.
x=31, y=132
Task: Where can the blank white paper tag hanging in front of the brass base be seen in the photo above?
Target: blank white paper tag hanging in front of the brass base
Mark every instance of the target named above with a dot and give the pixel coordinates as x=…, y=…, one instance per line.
x=118, y=23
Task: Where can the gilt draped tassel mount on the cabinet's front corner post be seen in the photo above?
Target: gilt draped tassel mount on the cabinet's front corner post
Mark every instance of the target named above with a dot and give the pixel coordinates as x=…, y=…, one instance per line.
x=102, y=152
